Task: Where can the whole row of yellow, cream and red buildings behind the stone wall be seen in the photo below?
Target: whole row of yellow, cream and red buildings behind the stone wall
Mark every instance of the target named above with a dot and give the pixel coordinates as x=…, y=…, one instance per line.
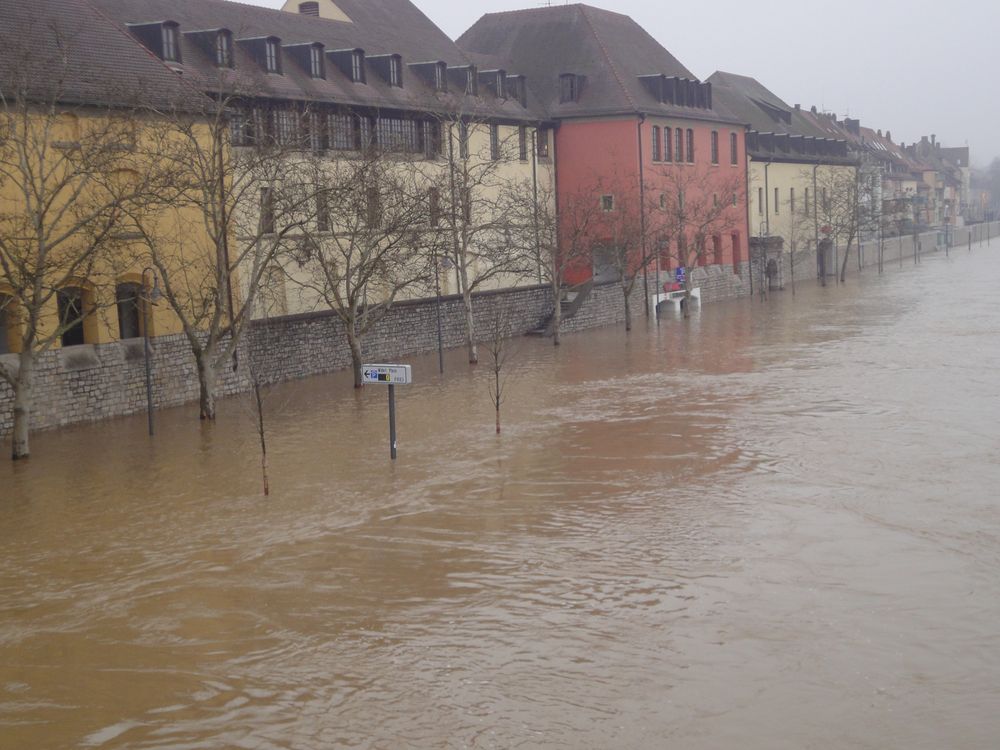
x=343, y=154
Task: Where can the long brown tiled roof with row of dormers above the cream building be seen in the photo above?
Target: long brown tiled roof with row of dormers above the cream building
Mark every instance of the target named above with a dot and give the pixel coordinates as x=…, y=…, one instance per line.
x=379, y=27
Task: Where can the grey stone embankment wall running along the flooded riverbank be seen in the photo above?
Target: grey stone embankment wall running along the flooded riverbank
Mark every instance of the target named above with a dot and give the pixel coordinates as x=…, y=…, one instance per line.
x=92, y=382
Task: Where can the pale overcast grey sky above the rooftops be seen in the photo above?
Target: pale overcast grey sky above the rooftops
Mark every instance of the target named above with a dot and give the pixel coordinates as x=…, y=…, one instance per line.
x=911, y=67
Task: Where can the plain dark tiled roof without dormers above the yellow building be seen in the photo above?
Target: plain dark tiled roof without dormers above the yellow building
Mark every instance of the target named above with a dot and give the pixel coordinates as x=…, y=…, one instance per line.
x=65, y=50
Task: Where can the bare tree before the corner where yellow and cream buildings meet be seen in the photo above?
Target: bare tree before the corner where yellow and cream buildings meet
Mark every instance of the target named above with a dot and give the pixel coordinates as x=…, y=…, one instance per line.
x=230, y=164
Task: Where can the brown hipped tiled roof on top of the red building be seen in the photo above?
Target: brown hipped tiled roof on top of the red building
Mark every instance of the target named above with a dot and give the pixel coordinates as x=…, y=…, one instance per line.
x=609, y=50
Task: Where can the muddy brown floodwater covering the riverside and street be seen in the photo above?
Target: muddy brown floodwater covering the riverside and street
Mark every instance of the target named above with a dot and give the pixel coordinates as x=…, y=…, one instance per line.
x=774, y=526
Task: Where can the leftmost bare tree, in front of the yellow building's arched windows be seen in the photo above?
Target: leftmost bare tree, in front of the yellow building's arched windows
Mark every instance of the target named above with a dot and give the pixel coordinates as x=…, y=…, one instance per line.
x=69, y=179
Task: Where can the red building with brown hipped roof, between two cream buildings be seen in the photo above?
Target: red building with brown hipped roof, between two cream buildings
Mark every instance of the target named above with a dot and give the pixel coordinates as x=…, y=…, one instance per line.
x=637, y=135
